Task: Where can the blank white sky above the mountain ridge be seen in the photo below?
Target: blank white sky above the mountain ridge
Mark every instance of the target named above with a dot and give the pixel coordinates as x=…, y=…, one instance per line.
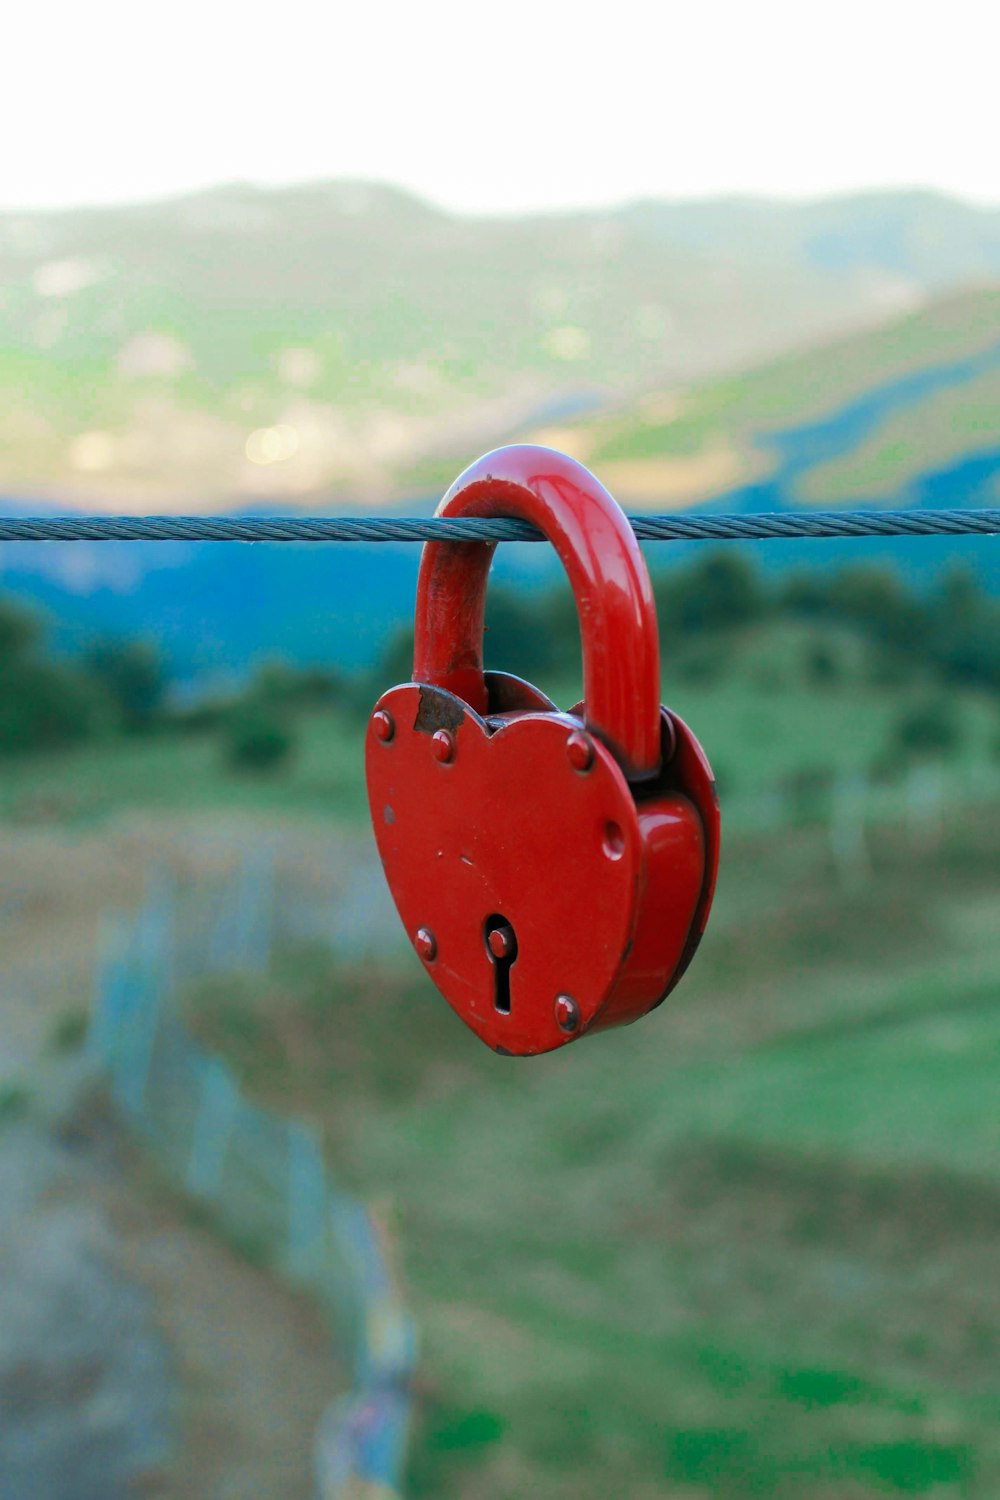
x=515, y=104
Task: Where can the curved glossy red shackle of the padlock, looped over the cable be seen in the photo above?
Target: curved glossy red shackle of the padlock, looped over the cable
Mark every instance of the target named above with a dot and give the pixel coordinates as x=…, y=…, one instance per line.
x=611, y=586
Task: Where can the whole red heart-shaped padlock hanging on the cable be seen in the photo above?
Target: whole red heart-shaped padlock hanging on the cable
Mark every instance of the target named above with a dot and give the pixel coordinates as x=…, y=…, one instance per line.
x=554, y=871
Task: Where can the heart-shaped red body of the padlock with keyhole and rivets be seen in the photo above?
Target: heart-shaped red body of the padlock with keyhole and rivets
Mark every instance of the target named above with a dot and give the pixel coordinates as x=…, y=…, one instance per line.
x=605, y=896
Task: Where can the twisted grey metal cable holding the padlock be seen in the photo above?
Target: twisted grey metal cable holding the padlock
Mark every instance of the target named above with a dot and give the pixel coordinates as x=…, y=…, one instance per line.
x=416, y=529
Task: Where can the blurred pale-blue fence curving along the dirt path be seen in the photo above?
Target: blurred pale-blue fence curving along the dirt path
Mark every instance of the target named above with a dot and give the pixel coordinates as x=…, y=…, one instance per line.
x=265, y=1175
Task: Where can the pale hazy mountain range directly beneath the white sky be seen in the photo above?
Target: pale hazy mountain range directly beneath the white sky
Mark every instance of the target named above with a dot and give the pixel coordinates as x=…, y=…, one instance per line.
x=347, y=340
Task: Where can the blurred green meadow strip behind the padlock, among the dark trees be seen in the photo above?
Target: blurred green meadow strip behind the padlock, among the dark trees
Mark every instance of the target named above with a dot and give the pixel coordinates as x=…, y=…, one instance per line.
x=773, y=722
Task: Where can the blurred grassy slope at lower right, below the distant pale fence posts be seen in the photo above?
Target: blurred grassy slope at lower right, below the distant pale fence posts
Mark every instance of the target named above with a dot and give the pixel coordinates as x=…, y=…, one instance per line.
x=746, y=1249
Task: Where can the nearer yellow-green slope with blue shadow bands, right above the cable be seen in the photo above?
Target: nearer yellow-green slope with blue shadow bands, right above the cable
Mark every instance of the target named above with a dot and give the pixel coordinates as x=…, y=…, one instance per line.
x=855, y=421
